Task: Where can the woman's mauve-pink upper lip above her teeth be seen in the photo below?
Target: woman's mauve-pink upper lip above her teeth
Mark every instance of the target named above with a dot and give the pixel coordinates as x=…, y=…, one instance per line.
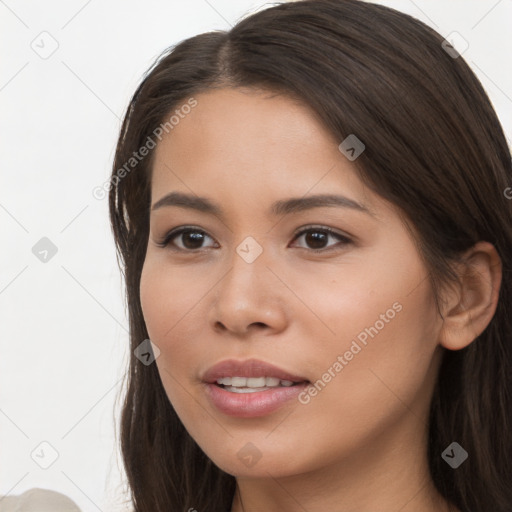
x=248, y=368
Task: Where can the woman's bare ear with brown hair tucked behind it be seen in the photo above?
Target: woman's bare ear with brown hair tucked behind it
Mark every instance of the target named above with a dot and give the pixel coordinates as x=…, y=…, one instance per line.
x=470, y=306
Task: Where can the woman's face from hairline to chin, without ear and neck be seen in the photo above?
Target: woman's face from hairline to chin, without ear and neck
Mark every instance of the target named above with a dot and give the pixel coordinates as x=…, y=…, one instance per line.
x=355, y=319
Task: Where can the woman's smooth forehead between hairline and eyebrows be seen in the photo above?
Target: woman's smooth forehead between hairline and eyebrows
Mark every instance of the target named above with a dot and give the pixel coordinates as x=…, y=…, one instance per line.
x=252, y=144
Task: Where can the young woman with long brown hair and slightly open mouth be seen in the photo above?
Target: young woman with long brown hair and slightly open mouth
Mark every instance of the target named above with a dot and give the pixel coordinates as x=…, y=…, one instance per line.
x=310, y=216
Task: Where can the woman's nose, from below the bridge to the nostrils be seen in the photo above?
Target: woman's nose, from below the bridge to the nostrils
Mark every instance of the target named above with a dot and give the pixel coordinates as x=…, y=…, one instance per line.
x=249, y=299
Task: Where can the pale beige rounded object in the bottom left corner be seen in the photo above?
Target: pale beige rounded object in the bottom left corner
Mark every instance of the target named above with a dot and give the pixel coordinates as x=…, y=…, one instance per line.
x=38, y=500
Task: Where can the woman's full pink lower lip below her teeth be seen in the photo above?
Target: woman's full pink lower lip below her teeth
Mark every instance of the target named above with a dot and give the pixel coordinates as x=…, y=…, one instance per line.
x=251, y=405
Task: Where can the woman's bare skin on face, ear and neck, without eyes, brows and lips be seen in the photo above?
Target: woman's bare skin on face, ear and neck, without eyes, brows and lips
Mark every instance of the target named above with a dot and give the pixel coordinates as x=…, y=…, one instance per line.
x=359, y=444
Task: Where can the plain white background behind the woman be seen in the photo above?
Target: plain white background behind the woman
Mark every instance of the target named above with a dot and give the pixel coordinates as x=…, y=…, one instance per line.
x=63, y=323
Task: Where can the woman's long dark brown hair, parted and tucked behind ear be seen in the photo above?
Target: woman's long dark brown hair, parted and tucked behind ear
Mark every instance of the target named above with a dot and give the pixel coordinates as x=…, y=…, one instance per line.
x=434, y=148
